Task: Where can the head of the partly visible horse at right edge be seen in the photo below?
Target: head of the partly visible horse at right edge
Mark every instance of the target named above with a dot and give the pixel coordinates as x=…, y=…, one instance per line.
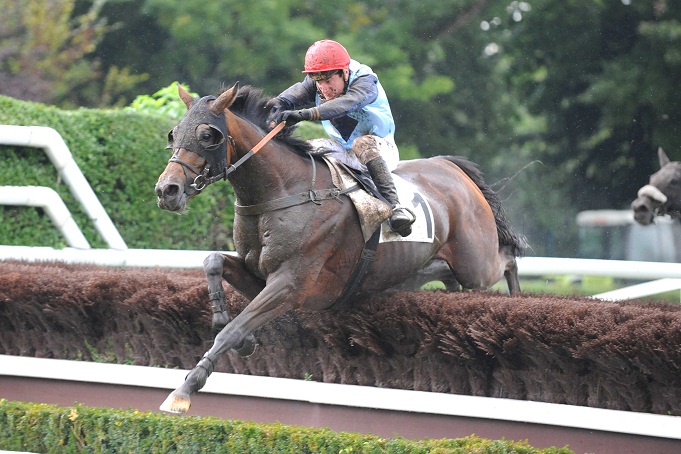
x=662, y=195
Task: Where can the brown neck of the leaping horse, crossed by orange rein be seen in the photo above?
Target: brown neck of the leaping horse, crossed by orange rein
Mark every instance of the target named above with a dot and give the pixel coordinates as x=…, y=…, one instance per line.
x=271, y=173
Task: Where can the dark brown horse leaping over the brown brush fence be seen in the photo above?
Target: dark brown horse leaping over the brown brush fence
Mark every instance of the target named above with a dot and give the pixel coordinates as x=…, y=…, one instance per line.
x=298, y=247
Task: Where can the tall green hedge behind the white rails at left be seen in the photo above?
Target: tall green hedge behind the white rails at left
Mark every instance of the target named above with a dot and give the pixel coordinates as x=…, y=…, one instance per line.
x=121, y=153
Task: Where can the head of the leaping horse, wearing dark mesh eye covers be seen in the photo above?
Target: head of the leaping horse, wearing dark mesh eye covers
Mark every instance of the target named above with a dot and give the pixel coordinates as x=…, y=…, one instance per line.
x=200, y=154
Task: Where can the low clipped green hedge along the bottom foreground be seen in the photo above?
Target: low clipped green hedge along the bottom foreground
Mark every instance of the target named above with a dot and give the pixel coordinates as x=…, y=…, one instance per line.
x=51, y=429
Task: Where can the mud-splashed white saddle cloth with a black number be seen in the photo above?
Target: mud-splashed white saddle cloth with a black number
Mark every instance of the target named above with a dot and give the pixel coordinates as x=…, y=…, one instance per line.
x=373, y=212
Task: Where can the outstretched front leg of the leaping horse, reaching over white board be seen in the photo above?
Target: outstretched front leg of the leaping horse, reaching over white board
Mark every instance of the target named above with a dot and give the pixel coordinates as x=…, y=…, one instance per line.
x=270, y=304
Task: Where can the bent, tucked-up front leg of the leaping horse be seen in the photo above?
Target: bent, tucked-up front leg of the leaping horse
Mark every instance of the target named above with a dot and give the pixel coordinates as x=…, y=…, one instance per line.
x=216, y=266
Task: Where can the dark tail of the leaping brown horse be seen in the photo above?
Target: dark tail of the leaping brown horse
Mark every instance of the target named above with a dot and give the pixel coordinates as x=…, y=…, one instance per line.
x=516, y=243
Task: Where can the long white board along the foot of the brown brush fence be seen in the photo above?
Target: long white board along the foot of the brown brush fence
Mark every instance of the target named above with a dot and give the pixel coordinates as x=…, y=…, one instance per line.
x=616, y=421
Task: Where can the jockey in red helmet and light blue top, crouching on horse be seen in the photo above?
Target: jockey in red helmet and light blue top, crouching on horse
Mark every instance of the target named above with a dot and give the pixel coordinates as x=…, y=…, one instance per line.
x=354, y=111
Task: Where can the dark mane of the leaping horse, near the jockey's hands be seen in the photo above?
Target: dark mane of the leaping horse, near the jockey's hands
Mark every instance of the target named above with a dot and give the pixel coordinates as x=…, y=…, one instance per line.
x=252, y=105
